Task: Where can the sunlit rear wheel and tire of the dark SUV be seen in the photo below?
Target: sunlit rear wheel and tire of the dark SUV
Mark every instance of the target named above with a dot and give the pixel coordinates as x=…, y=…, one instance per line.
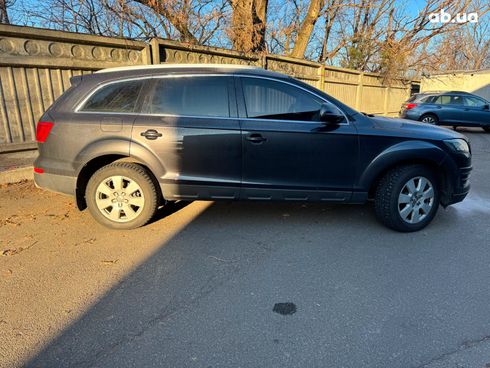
x=123, y=187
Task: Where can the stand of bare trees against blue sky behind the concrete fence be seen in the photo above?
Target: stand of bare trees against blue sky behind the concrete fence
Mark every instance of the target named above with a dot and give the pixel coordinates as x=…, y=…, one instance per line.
x=369, y=35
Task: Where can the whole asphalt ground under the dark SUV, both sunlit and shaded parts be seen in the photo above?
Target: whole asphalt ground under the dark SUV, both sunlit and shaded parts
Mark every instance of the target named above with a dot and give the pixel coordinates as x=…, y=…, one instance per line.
x=197, y=287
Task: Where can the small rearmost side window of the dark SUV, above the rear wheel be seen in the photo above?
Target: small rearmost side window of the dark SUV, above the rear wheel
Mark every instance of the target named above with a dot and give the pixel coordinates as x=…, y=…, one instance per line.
x=116, y=97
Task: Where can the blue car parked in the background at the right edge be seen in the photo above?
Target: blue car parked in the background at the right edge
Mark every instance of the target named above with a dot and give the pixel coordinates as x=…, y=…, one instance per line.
x=448, y=108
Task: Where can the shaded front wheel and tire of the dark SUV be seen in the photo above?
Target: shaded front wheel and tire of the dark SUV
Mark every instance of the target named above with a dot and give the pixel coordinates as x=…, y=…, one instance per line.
x=393, y=195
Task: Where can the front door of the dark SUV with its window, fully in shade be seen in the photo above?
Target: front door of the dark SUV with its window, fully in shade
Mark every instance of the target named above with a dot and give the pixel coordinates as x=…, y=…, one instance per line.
x=287, y=152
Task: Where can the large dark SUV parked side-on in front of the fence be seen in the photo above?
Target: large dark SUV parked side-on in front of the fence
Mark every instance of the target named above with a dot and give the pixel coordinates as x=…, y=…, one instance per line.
x=124, y=141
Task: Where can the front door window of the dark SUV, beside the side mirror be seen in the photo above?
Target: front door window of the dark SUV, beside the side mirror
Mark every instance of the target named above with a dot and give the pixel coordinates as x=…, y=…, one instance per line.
x=267, y=99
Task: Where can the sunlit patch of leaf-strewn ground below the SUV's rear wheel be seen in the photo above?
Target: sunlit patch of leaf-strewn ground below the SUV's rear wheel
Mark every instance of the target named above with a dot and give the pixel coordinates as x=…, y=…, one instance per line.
x=55, y=261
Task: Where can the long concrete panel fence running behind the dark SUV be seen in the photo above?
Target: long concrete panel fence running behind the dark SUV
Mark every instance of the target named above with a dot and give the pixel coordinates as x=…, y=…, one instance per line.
x=36, y=66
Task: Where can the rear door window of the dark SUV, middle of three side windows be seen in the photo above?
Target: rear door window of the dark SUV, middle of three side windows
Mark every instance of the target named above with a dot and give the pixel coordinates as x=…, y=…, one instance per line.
x=193, y=96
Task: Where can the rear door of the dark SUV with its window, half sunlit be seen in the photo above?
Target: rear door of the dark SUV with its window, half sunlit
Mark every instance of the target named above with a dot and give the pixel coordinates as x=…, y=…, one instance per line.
x=189, y=131
